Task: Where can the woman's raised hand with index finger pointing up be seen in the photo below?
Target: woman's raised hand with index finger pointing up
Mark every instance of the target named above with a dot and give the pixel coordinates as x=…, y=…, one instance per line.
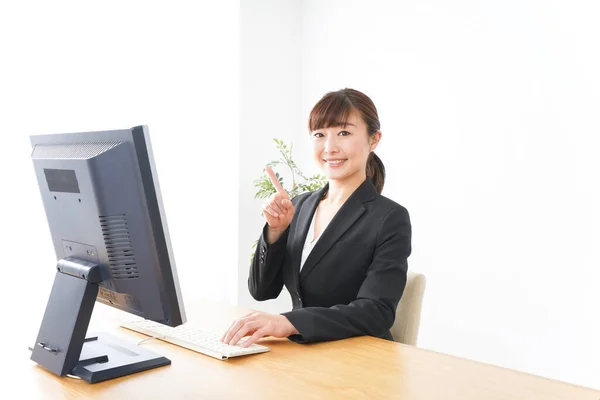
x=278, y=209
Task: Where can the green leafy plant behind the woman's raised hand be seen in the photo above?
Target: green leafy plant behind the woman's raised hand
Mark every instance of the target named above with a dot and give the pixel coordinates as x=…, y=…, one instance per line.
x=300, y=182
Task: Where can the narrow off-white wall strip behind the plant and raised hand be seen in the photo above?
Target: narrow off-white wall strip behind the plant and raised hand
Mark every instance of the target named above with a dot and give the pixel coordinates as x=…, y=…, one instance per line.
x=270, y=108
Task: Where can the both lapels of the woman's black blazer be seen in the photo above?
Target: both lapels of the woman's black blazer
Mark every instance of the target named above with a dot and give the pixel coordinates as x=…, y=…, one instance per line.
x=346, y=216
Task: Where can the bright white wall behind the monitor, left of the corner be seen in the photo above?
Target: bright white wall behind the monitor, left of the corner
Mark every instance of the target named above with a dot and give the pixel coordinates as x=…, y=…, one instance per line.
x=70, y=67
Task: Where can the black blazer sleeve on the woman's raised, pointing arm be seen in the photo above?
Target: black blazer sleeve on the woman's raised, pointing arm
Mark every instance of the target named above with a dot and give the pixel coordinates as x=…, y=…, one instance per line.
x=265, y=279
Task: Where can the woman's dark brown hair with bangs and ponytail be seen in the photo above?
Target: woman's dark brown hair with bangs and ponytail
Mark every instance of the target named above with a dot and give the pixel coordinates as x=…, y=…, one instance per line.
x=335, y=108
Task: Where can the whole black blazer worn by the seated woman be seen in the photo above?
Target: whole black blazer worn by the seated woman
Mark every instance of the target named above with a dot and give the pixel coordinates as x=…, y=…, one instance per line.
x=354, y=277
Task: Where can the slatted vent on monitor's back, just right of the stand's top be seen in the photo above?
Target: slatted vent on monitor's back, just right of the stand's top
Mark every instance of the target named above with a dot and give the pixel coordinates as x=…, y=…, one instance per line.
x=118, y=246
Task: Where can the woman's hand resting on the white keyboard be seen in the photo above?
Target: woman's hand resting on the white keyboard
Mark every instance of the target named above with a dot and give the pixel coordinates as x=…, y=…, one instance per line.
x=258, y=325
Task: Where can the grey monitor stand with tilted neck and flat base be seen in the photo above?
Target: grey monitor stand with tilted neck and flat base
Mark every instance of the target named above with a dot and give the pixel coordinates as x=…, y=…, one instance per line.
x=62, y=347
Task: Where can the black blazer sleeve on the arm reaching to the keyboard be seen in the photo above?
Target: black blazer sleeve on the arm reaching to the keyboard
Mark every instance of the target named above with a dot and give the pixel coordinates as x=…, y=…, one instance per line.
x=374, y=310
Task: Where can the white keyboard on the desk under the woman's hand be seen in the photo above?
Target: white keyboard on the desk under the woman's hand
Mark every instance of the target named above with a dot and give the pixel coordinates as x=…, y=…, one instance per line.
x=207, y=343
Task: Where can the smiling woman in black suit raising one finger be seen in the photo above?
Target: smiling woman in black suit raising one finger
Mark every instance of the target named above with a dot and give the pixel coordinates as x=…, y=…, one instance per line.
x=341, y=251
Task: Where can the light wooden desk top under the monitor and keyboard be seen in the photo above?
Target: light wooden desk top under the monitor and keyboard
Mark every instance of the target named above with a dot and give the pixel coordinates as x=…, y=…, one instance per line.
x=357, y=368
